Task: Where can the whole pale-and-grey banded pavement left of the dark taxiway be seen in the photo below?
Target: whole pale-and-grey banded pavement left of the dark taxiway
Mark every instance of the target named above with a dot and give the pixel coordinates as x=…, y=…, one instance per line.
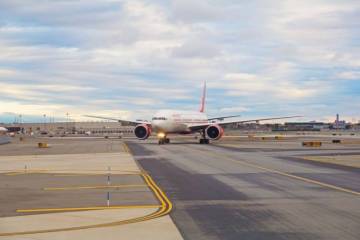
x=25, y=175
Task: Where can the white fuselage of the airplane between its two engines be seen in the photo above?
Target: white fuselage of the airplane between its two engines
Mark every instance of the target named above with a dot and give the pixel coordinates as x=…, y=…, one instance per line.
x=173, y=121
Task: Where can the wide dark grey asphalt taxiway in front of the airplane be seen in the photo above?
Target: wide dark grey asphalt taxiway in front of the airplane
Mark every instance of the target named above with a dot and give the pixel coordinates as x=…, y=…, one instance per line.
x=222, y=192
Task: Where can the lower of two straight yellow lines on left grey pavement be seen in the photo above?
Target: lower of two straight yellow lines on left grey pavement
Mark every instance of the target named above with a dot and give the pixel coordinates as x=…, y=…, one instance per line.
x=84, y=208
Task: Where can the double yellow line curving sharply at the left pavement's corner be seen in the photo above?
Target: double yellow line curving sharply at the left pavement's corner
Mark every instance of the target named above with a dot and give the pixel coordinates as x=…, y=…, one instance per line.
x=164, y=209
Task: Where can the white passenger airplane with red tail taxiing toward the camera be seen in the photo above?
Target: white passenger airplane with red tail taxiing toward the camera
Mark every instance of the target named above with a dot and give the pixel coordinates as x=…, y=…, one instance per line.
x=166, y=122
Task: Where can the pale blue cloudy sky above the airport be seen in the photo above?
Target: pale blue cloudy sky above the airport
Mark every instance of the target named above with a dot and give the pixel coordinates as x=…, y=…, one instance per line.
x=127, y=59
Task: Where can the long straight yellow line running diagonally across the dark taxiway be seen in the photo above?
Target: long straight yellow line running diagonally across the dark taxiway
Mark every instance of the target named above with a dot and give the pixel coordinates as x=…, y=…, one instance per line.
x=287, y=174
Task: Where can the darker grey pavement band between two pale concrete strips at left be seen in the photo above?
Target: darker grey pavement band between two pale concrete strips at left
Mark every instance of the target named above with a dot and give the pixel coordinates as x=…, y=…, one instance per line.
x=44, y=190
